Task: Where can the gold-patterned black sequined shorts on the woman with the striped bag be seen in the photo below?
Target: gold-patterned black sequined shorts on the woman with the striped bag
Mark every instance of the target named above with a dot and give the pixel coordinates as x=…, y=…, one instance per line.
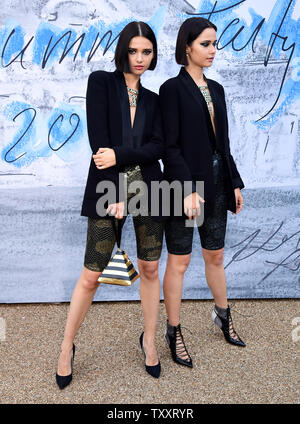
x=101, y=236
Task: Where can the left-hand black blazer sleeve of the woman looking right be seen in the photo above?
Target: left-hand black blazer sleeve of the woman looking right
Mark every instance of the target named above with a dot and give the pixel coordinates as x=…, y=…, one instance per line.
x=175, y=165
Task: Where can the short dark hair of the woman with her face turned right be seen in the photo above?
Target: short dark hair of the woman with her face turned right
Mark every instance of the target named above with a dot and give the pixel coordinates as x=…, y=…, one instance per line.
x=188, y=32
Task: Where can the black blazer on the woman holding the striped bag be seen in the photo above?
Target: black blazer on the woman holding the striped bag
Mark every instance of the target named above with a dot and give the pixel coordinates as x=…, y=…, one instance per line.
x=108, y=124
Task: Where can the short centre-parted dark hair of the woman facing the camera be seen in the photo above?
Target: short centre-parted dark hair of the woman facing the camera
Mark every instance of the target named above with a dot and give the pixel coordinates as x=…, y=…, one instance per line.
x=133, y=29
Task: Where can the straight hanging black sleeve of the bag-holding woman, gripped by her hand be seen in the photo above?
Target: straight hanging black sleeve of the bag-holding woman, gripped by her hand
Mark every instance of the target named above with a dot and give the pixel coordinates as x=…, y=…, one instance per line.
x=97, y=123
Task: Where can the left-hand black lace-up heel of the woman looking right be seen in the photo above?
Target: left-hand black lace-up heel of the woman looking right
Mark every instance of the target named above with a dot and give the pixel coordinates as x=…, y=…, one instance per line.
x=174, y=339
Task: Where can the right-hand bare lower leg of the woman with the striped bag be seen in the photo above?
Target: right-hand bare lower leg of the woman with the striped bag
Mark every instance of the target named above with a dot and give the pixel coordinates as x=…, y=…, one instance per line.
x=150, y=296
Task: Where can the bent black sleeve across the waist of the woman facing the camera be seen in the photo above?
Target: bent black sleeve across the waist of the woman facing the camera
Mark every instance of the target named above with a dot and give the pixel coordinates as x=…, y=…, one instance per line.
x=148, y=152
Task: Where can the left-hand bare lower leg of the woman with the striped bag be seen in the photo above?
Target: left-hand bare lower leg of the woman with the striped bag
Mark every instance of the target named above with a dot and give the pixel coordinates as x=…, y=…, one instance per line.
x=82, y=298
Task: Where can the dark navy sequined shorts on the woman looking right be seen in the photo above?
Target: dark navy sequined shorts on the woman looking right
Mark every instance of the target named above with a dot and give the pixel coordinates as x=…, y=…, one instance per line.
x=179, y=238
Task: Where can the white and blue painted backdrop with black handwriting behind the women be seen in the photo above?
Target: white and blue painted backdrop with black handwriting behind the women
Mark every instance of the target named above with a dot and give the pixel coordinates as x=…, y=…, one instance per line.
x=48, y=49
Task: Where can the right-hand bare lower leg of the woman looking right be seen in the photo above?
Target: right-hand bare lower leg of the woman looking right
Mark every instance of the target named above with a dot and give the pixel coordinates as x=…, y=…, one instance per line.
x=215, y=275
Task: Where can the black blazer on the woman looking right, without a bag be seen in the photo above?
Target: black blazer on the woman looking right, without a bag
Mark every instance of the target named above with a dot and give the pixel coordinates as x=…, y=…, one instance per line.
x=189, y=135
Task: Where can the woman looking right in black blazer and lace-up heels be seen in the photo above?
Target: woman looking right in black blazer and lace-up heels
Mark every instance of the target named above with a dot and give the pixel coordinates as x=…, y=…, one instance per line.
x=197, y=149
